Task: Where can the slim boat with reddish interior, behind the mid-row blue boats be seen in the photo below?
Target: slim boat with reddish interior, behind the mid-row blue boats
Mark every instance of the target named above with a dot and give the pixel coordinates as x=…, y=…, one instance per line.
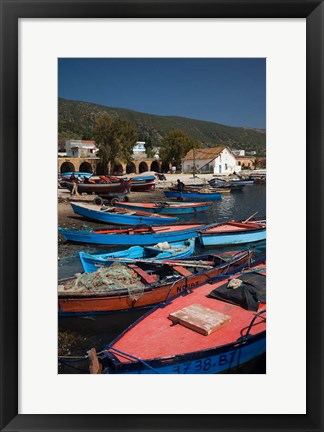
x=168, y=207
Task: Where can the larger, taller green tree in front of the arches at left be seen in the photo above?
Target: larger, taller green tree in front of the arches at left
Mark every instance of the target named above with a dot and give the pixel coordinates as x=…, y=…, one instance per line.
x=115, y=139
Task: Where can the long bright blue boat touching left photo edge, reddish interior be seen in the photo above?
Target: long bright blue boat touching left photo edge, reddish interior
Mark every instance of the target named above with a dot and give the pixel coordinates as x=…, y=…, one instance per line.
x=133, y=236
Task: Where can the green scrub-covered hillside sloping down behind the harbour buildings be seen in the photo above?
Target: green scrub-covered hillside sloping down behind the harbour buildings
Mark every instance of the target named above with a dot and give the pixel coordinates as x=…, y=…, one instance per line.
x=76, y=120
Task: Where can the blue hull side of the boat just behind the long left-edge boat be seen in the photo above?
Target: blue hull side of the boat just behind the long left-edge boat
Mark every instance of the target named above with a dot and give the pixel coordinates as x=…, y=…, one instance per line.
x=121, y=219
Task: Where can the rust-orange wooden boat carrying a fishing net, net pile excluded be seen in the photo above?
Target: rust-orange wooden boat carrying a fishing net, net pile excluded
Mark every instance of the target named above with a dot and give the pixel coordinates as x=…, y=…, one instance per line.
x=161, y=282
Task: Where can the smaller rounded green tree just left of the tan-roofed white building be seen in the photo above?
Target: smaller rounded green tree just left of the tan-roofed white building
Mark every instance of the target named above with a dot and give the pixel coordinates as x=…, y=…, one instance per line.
x=176, y=145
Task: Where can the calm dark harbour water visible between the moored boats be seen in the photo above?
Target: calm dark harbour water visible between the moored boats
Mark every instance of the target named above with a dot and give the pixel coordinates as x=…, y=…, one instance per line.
x=77, y=335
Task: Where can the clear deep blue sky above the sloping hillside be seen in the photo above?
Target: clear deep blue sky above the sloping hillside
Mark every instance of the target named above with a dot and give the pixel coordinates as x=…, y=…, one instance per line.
x=227, y=91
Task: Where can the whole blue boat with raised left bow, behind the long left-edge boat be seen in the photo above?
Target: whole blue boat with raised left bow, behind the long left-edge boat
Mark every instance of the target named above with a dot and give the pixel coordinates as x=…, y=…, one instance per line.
x=121, y=216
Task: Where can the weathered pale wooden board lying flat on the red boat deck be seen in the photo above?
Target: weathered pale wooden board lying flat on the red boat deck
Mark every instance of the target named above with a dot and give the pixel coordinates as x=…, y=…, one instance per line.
x=200, y=319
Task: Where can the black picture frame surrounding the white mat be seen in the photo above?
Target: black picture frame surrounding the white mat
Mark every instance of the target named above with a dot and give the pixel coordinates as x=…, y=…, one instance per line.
x=11, y=11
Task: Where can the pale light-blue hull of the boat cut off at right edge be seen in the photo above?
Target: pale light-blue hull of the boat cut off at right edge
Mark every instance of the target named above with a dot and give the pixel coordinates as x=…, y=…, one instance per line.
x=232, y=238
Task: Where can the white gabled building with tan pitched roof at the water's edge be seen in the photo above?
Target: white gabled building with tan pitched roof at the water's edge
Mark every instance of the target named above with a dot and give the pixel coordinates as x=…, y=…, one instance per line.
x=218, y=160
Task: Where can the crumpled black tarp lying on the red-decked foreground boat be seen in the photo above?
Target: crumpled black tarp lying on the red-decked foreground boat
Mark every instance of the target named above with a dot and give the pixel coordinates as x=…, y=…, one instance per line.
x=248, y=295
